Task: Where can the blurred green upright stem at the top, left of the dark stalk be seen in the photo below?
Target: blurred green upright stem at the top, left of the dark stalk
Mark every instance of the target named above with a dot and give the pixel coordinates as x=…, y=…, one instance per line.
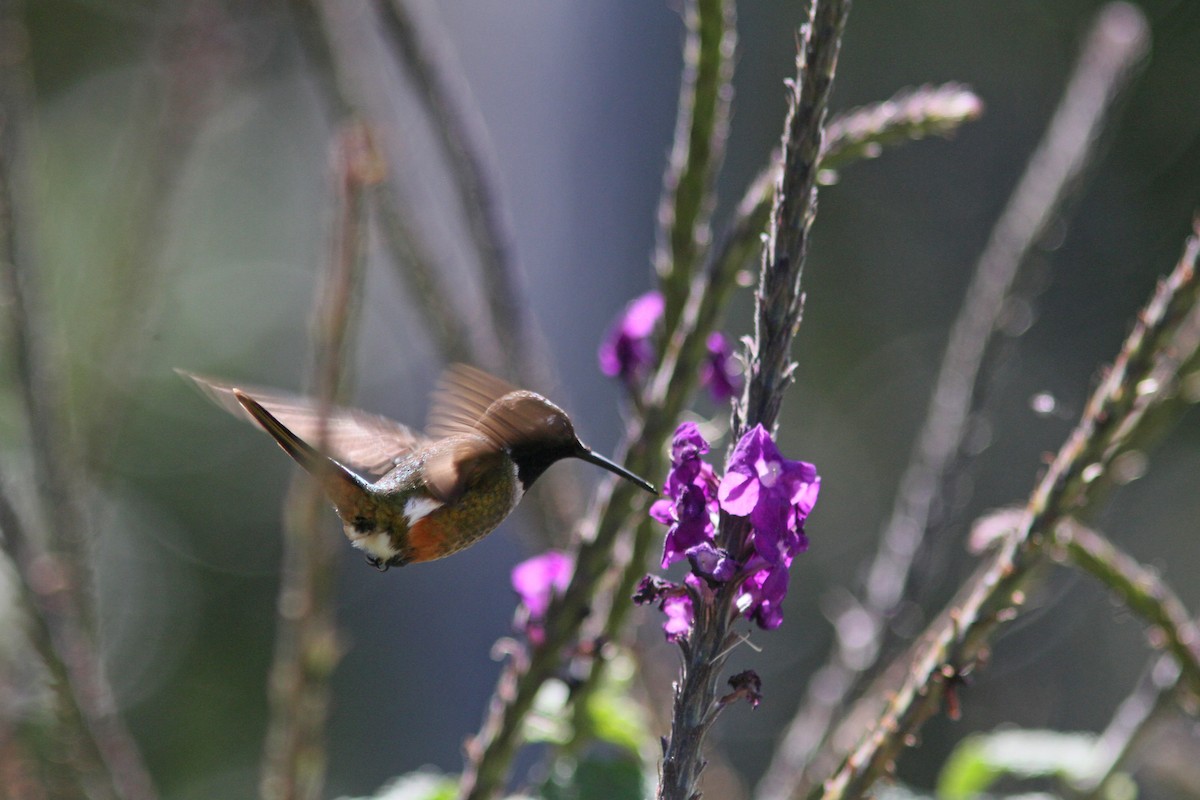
x=701, y=130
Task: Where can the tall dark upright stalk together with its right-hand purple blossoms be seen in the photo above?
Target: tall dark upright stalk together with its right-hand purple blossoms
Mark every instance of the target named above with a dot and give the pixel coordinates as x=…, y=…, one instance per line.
x=772, y=492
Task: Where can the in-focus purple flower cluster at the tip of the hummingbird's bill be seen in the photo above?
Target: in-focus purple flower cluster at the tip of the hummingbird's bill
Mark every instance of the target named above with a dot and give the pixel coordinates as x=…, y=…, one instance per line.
x=773, y=494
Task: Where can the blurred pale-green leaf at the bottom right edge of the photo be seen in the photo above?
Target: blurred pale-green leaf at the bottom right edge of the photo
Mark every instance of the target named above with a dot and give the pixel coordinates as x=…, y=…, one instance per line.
x=980, y=761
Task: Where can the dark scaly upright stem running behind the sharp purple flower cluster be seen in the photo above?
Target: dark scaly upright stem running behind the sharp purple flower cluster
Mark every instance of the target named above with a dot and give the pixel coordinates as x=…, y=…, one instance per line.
x=778, y=315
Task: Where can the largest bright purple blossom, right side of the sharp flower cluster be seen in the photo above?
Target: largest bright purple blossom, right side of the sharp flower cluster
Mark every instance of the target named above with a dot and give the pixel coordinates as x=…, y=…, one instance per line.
x=776, y=494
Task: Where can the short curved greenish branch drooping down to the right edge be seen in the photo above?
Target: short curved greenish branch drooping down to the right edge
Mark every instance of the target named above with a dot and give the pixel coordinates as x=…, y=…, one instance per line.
x=1141, y=590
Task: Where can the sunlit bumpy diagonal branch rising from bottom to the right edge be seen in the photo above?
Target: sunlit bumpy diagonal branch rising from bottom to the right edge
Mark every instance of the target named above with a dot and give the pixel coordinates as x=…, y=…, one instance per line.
x=1162, y=344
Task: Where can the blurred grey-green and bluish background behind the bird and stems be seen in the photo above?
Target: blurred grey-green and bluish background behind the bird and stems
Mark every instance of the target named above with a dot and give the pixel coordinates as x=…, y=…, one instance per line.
x=177, y=167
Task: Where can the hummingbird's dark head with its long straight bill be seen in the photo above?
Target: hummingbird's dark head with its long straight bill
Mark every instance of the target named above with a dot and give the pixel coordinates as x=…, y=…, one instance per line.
x=537, y=434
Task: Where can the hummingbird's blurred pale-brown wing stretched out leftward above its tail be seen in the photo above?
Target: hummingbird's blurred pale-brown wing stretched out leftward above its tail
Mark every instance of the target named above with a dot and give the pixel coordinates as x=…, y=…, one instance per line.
x=363, y=442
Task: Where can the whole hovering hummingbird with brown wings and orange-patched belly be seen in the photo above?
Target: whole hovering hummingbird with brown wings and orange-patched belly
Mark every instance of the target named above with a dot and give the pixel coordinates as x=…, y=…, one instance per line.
x=406, y=497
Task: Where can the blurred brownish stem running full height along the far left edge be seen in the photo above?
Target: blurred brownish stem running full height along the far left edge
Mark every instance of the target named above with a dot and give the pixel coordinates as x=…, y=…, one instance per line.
x=53, y=574
